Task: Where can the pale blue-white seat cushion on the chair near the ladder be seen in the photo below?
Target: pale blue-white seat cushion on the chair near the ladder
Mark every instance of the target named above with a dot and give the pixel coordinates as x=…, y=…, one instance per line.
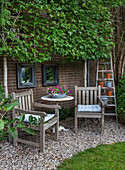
x=89, y=108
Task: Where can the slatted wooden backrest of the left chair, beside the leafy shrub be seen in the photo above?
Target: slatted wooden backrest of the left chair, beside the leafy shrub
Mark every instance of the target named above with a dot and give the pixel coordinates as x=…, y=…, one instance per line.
x=25, y=100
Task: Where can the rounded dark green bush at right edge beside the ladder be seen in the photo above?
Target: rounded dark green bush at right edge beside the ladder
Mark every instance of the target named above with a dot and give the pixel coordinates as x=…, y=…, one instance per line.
x=120, y=96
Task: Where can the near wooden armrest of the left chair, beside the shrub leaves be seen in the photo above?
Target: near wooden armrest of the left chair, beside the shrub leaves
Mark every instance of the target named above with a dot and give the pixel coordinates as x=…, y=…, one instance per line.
x=31, y=112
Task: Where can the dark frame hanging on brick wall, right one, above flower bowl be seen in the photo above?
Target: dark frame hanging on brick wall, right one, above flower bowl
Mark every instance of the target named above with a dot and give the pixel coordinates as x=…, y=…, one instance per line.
x=55, y=75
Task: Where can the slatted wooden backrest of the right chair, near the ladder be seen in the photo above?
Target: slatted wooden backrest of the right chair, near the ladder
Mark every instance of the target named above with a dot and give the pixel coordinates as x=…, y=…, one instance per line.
x=87, y=95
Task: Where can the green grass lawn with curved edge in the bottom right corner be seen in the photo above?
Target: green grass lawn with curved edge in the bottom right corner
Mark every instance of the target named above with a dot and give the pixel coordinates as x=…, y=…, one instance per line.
x=102, y=157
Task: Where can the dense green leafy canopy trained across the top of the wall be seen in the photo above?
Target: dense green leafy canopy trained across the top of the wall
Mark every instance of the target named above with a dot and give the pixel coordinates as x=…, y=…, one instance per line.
x=33, y=30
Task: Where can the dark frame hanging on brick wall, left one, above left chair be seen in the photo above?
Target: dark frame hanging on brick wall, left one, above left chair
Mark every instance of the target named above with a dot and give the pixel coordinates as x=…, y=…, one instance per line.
x=31, y=84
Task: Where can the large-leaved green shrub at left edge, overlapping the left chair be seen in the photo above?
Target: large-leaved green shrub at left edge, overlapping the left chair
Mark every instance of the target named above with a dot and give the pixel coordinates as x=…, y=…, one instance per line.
x=7, y=105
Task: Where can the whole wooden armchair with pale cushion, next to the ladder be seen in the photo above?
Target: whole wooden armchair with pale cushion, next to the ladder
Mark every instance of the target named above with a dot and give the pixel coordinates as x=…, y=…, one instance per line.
x=88, y=104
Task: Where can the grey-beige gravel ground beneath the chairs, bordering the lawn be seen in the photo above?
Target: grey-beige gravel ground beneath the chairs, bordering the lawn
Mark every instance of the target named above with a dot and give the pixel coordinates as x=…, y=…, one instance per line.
x=26, y=157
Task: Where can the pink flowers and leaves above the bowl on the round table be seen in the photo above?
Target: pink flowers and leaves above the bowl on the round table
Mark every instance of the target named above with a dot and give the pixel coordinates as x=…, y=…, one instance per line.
x=59, y=90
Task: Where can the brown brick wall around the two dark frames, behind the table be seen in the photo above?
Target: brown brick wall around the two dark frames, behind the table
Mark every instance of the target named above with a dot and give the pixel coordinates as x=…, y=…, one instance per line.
x=70, y=74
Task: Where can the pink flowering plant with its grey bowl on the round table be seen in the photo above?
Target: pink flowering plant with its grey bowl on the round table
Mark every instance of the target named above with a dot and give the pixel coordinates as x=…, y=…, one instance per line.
x=59, y=92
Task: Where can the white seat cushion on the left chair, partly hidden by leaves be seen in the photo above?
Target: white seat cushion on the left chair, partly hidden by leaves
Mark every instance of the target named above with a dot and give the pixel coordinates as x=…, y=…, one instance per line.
x=48, y=117
